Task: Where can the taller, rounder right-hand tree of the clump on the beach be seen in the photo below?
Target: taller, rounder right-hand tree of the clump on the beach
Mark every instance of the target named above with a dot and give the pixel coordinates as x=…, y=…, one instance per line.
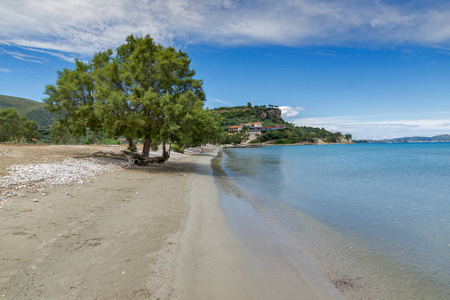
x=148, y=91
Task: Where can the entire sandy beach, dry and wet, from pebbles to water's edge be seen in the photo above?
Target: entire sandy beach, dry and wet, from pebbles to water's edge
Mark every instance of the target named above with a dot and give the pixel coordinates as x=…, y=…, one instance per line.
x=155, y=232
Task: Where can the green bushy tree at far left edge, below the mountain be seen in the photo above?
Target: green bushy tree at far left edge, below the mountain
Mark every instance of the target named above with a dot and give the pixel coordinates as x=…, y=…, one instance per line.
x=13, y=127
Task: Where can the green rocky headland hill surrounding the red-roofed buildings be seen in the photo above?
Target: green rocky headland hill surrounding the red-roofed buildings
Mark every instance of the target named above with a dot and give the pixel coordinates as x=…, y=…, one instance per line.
x=270, y=116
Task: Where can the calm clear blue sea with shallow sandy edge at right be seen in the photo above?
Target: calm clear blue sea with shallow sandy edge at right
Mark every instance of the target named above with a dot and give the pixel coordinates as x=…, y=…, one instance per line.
x=372, y=218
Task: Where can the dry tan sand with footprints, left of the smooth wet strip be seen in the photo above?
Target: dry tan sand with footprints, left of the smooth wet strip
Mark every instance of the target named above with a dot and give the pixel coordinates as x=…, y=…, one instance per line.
x=98, y=240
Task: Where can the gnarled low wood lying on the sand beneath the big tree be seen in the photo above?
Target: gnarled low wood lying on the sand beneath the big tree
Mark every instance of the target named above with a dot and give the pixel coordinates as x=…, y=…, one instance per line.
x=131, y=157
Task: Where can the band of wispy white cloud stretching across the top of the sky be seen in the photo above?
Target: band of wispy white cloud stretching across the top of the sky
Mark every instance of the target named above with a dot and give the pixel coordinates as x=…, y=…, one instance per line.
x=84, y=26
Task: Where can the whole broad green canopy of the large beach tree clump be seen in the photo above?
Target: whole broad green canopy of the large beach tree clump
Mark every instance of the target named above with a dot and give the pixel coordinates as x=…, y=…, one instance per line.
x=144, y=91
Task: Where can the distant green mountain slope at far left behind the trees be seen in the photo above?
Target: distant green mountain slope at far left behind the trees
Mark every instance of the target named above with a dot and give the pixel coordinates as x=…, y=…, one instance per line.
x=33, y=110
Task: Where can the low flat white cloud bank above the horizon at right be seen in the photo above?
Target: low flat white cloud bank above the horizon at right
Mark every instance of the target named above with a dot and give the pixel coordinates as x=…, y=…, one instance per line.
x=380, y=127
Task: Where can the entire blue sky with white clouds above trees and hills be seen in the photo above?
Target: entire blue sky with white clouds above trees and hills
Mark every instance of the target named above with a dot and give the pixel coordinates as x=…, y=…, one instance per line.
x=372, y=68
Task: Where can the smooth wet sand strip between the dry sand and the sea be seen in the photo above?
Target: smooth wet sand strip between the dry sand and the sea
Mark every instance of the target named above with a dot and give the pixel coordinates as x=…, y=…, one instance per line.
x=234, y=258
